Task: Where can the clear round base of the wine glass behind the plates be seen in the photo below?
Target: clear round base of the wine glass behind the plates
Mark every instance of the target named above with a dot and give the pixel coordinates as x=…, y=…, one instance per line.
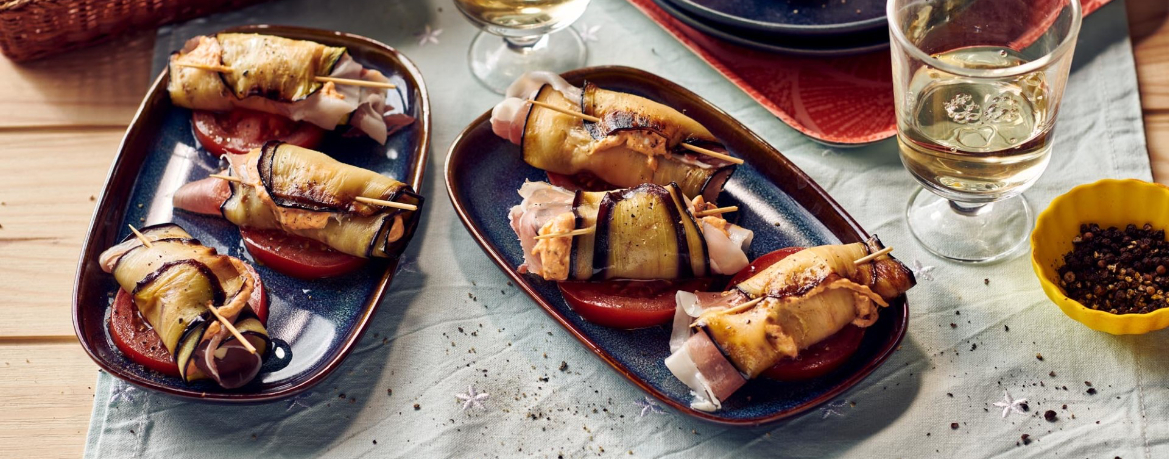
x=497, y=62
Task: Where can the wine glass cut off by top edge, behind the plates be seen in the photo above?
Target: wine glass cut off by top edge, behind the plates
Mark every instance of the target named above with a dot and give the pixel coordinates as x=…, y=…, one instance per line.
x=532, y=38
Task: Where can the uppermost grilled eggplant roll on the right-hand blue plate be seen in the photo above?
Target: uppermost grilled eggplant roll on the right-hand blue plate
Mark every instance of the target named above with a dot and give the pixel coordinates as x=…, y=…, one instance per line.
x=637, y=141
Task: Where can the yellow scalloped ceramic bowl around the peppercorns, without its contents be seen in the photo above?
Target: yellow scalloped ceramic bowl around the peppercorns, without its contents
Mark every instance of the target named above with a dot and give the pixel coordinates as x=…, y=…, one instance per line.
x=1108, y=204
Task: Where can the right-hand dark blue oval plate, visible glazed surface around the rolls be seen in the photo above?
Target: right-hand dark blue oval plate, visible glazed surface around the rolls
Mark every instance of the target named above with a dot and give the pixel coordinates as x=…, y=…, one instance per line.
x=778, y=201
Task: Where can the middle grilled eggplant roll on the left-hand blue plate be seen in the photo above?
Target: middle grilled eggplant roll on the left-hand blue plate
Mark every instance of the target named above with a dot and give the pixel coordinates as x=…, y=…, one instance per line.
x=309, y=194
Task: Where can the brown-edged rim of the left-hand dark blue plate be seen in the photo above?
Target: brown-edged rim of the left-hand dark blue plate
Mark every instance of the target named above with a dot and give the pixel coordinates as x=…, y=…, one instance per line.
x=122, y=165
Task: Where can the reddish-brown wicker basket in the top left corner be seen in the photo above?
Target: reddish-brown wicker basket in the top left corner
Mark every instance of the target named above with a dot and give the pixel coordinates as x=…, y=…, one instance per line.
x=38, y=29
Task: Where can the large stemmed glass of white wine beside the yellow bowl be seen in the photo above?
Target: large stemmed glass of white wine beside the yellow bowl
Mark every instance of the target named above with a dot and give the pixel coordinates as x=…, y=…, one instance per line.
x=978, y=85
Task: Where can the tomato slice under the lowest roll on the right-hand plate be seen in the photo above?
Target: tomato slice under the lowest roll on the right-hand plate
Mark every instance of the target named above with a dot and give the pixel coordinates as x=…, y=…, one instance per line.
x=821, y=358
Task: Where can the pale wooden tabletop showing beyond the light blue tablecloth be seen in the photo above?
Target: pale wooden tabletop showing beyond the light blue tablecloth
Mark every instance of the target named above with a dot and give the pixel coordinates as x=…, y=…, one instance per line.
x=59, y=133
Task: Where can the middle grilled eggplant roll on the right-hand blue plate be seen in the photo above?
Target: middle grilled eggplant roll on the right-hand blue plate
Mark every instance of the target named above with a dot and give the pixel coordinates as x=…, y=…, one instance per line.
x=644, y=233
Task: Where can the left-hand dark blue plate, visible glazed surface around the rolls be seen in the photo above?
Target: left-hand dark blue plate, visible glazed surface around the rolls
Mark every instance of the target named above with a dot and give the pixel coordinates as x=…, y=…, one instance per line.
x=314, y=324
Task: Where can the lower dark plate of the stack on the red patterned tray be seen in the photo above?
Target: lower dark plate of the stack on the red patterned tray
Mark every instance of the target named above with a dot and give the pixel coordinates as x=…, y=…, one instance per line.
x=803, y=45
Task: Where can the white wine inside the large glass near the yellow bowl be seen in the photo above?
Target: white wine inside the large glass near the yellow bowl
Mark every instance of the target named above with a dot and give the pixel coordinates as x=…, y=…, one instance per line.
x=978, y=141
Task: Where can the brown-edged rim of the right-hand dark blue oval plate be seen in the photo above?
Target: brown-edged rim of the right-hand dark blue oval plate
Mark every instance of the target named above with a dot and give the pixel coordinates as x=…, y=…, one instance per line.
x=900, y=328
